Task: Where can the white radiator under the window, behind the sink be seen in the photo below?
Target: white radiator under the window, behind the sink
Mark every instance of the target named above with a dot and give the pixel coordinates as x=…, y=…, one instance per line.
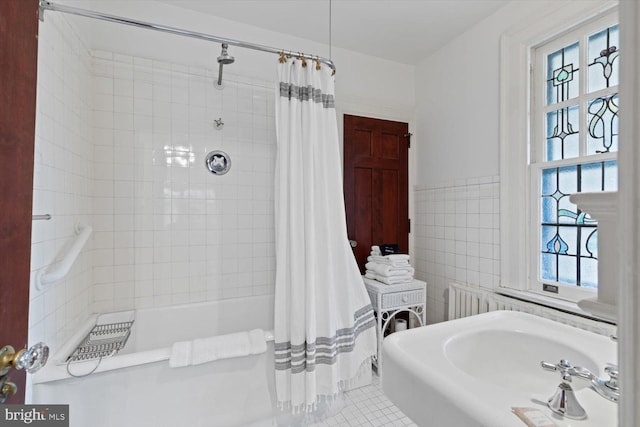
x=467, y=301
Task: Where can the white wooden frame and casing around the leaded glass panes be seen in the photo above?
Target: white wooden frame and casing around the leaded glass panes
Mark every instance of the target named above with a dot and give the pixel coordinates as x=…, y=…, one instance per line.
x=520, y=165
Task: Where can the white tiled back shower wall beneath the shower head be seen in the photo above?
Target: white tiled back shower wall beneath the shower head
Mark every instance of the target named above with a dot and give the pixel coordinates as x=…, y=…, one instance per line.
x=168, y=231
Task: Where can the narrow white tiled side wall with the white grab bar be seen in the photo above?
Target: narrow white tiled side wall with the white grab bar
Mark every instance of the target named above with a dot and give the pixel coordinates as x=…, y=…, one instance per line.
x=63, y=175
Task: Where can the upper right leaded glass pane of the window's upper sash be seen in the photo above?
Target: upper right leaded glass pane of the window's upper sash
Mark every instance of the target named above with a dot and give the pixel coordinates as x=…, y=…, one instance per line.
x=603, y=52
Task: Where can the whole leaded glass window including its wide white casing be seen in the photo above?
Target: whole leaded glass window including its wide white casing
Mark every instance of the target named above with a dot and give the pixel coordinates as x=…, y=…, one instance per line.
x=559, y=135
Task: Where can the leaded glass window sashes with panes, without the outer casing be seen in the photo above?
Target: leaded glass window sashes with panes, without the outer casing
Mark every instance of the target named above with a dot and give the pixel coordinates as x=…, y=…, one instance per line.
x=575, y=149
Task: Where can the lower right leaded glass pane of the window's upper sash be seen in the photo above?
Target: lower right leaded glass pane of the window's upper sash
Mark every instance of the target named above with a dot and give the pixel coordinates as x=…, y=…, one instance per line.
x=602, y=121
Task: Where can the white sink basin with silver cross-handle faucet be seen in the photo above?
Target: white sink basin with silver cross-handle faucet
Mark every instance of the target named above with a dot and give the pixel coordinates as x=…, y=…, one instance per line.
x=472, y=371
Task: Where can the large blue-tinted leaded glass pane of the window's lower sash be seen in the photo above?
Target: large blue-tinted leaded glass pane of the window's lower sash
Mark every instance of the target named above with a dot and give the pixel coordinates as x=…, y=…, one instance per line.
x=568, y=236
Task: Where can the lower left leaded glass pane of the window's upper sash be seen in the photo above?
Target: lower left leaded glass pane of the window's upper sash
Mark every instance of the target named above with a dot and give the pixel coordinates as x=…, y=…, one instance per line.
x=562, y=133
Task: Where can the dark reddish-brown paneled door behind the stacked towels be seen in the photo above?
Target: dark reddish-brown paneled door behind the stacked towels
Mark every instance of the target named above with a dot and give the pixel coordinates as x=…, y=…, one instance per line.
x=376, y=183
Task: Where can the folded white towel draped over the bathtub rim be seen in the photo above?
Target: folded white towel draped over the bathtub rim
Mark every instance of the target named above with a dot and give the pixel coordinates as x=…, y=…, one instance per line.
x=204, y=350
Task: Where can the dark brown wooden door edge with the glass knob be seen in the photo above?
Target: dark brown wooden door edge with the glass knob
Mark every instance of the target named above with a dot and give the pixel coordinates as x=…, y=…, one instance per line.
x=18, y=65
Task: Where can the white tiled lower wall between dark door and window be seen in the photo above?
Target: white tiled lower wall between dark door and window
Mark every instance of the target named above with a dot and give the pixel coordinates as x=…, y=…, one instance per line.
x=457, y=238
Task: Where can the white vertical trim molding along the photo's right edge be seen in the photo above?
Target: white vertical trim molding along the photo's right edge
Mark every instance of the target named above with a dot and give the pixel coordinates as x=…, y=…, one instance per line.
x=628, y=217
